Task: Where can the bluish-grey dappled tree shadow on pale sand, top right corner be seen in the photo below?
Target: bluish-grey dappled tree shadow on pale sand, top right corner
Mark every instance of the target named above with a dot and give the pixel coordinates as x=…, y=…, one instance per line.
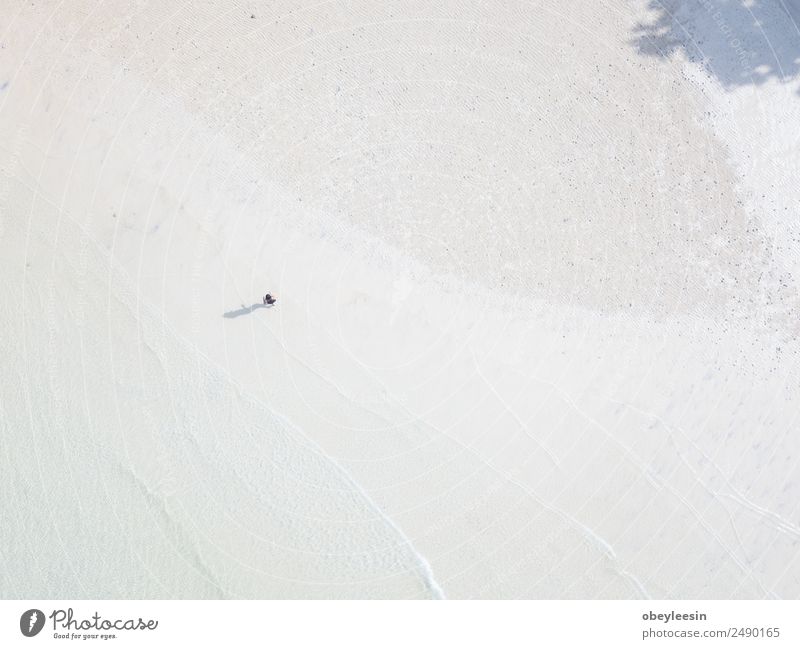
x=738, y=42
